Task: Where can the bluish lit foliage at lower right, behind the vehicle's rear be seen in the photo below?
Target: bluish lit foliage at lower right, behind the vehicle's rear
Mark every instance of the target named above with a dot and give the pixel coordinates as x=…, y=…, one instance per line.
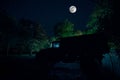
x=112, y=61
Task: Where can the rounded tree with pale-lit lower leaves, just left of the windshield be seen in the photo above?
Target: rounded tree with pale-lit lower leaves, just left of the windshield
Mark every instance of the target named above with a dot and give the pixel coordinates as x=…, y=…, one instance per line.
x=34, y=36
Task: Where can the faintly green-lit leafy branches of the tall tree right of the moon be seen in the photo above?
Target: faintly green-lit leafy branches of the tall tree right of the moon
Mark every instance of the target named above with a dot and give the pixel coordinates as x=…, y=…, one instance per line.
x=98, y=18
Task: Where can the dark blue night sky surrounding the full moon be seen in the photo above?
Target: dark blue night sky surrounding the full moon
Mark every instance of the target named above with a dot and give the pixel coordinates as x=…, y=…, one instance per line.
x=49, y=12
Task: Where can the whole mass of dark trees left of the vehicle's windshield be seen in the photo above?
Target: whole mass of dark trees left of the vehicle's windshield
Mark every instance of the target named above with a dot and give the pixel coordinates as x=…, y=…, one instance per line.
x=22, y=36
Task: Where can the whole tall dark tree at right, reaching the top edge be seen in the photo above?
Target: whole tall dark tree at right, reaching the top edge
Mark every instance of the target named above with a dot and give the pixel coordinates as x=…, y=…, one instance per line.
x=105, y=18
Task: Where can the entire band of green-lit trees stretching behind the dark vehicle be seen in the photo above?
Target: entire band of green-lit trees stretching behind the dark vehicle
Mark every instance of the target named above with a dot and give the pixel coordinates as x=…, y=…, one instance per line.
x=27, y=36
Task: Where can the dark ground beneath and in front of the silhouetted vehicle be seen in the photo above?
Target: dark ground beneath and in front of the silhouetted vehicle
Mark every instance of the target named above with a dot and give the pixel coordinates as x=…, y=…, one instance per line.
x=21, y=68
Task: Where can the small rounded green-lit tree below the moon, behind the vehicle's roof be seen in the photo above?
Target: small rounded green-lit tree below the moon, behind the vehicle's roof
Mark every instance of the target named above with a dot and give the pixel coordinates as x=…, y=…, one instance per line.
x=64, y=29
